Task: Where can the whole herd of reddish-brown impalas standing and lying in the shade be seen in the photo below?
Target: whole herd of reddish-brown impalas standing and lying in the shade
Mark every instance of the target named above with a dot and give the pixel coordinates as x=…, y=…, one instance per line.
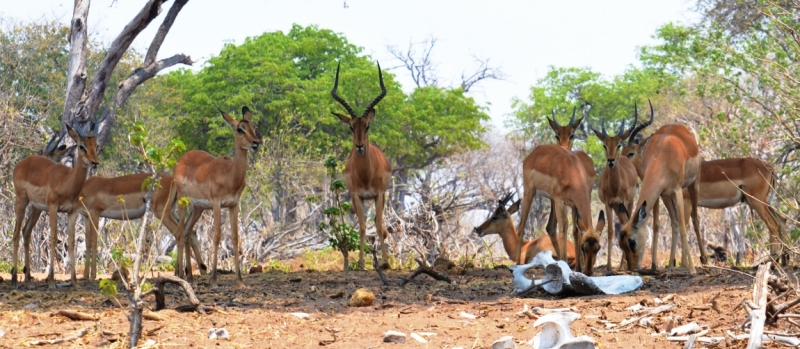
x=668, y=164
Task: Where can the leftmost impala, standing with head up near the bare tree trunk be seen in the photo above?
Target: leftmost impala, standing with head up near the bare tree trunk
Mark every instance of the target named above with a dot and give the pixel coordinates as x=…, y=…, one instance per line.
x=47, y=185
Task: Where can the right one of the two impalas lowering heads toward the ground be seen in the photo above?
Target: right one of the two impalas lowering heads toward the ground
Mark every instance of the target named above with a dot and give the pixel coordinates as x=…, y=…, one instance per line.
x=671, y=162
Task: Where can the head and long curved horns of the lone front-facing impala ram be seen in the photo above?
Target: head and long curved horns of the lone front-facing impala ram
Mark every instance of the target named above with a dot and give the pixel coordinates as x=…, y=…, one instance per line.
x=359, y=126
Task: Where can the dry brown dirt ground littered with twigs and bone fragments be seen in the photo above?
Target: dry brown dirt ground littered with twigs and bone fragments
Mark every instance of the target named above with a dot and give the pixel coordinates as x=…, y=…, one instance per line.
x=258, y=316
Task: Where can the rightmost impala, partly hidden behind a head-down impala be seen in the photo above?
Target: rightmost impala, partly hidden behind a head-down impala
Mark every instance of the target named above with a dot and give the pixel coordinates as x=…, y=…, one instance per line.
x=727, y=182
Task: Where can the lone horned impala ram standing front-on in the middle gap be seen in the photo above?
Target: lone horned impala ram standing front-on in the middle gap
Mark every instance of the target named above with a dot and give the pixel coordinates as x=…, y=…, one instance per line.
x=368, y=172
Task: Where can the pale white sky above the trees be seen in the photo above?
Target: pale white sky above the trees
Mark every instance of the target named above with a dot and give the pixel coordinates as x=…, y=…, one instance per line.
x=523, y=38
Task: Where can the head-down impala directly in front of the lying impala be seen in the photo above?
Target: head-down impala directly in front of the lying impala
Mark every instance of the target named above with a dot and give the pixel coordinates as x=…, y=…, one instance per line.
x=558, y=174
